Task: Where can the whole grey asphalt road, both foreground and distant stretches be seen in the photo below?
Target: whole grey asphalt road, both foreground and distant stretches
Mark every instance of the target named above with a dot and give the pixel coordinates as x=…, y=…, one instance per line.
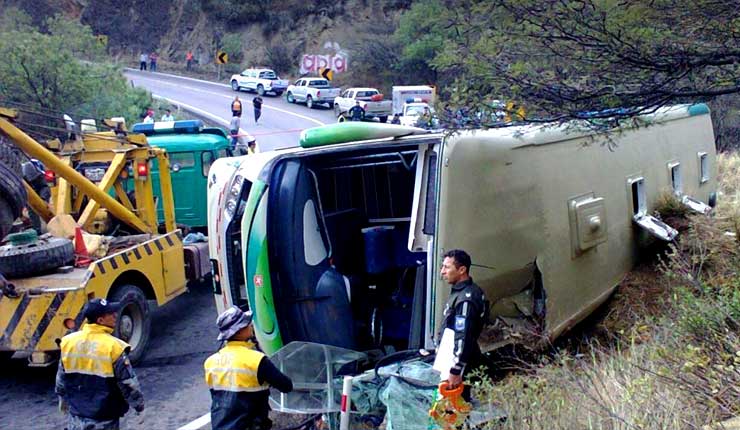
x=183, y=331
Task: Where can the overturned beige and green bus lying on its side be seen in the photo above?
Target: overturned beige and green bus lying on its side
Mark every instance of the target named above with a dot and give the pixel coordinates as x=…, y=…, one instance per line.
x=340, y=241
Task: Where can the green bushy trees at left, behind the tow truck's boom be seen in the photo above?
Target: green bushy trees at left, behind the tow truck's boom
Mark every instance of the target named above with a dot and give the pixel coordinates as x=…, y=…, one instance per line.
x=59, y=69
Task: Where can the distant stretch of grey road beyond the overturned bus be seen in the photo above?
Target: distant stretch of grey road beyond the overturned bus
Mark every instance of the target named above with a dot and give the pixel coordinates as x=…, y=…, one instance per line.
x=279, y=126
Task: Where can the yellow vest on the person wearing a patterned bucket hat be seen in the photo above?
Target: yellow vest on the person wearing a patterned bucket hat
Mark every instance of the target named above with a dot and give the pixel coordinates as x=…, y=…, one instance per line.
x=234, y=368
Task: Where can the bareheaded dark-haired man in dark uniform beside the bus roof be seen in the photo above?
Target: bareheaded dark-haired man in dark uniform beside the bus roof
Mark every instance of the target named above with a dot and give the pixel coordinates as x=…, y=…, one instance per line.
x=465, y=313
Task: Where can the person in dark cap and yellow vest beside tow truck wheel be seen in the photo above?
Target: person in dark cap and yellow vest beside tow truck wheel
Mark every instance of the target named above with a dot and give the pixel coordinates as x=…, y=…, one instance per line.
x=95, y=381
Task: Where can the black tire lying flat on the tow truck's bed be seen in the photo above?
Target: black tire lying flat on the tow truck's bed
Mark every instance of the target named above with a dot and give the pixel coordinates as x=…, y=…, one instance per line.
x=37, y=257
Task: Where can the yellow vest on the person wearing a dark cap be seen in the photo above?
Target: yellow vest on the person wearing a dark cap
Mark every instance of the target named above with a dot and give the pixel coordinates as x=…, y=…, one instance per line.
x=92, y=351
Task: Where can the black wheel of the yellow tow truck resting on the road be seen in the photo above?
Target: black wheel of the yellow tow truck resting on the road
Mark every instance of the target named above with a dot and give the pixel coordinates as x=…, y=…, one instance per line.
x=134, y=320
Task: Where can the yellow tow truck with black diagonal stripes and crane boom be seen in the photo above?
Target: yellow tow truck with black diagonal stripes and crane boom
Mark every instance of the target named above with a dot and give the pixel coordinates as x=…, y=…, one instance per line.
x=37, y=309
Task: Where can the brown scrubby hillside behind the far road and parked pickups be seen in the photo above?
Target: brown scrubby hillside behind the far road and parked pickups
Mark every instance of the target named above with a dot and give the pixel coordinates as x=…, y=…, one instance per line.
x=266, y=33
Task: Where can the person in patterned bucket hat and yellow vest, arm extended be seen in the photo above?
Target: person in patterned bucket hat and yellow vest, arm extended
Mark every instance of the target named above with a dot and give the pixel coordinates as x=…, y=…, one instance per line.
x=239, y=376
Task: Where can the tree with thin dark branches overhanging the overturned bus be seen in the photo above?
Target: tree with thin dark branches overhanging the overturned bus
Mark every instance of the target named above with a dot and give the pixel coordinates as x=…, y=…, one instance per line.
x=567, y=59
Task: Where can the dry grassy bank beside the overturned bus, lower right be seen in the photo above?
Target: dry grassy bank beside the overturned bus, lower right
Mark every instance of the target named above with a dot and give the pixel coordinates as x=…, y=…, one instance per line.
x=665, y=353
